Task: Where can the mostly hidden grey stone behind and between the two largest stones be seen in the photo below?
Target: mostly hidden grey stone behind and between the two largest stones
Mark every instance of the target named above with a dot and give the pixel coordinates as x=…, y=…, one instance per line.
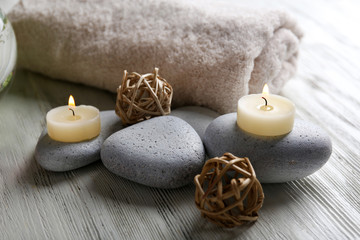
x=198, y=117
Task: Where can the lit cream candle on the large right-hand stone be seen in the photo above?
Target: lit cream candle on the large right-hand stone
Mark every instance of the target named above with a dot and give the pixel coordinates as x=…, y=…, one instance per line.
x=265, y=114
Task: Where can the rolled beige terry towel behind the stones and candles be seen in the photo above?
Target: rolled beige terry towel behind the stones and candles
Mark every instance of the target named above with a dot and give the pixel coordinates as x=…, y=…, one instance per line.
x=210, y=58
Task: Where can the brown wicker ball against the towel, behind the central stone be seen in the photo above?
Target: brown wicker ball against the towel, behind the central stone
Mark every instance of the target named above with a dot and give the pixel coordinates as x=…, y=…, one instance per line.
x=140, y=97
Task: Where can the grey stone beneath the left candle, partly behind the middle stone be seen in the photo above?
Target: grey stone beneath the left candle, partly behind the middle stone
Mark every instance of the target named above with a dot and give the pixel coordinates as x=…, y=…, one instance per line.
x=59, y=156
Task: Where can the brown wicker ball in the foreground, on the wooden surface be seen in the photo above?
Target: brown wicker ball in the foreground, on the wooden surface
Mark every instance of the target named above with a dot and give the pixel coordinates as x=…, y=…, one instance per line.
x=228, y=192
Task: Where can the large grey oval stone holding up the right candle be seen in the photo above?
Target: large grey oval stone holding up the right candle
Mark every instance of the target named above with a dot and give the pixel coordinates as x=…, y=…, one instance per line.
x=275, y=159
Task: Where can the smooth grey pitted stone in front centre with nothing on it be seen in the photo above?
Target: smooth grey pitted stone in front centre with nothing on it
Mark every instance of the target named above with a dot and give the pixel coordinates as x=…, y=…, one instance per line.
x=162, y=152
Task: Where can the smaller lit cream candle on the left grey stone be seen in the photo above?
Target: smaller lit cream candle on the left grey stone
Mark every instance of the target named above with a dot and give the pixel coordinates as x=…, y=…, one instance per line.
x=73, y=123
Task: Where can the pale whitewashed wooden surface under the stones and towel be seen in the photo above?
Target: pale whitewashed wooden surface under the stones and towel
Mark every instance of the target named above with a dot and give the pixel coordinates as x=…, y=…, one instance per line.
x=92, y=203
